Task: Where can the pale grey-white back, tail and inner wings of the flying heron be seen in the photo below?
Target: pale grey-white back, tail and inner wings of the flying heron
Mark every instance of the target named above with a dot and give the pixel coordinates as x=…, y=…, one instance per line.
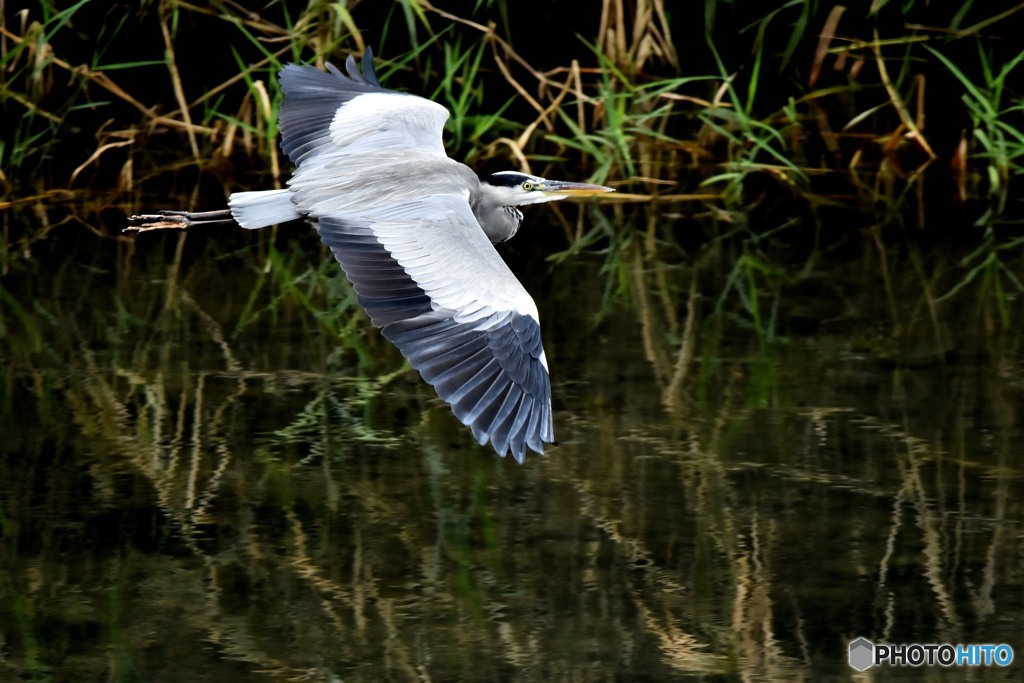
x=437, y=240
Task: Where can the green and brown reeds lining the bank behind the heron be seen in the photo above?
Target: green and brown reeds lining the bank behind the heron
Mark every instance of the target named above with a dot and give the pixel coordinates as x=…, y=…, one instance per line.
x=628, y=107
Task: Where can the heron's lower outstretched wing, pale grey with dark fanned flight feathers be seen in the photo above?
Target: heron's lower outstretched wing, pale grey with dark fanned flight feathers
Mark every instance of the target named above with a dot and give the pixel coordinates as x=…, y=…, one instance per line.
x=490, y=370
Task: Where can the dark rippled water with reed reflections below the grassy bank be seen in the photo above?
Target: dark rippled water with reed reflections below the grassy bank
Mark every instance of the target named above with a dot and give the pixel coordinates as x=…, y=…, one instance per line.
x=203, y=481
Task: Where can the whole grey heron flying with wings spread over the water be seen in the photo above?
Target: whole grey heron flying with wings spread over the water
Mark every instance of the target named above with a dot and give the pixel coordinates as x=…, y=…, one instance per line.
x=413, y=231
